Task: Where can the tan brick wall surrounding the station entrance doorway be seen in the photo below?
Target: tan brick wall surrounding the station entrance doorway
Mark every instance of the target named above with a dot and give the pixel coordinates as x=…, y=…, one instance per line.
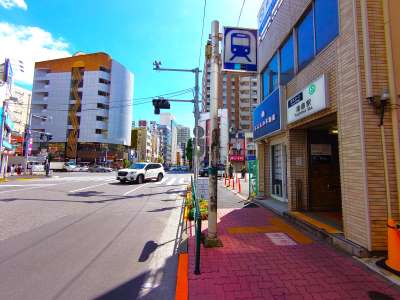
x=361, y=163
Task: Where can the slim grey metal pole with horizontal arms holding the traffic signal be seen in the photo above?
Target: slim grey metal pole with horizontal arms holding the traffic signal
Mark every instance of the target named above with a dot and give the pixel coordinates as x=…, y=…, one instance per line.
x=196, y=72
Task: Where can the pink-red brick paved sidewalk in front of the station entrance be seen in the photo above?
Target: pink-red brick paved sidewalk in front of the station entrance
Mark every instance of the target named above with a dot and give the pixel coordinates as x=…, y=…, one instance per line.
x=251, y=266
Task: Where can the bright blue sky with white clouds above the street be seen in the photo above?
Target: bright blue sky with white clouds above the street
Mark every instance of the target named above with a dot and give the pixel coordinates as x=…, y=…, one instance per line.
x=133, y=32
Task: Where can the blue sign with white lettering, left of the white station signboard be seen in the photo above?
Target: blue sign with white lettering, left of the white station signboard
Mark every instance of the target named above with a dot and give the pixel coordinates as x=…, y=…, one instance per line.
x=267, y=116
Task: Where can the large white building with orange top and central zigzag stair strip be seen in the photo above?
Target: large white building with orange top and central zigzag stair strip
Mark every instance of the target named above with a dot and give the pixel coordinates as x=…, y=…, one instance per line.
x=89, y=100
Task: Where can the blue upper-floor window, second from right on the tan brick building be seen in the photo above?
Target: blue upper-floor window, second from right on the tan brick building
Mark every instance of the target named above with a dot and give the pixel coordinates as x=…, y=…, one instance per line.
x=305, y=40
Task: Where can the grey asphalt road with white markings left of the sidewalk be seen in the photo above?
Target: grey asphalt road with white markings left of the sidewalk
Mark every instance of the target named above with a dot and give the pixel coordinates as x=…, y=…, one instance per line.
x=86, y=236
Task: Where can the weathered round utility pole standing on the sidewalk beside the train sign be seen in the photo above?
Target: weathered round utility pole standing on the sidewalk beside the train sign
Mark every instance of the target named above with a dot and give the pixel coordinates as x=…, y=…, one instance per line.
x=212, y=239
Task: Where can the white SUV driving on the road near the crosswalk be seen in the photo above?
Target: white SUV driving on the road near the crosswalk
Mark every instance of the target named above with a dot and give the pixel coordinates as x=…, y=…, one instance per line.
x=140, y=172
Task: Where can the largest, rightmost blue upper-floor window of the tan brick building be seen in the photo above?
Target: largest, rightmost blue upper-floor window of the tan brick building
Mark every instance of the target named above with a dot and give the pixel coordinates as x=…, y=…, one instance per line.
x=326, y=22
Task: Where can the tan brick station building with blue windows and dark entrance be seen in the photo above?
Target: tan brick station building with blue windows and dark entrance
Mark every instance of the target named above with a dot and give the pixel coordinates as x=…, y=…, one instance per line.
x=324, y=68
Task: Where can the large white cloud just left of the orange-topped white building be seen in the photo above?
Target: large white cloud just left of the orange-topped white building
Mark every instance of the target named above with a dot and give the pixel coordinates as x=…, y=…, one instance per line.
x=29, y=44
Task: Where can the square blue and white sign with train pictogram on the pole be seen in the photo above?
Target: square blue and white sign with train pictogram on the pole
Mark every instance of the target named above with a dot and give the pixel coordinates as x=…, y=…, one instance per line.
x=240, y=49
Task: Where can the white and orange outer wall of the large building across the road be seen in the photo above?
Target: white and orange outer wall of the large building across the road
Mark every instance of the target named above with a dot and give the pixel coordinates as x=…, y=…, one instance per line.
x=52, y=86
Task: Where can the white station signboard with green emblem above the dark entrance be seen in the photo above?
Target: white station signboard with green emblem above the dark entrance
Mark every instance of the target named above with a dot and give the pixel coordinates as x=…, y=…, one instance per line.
x=310, y=100
